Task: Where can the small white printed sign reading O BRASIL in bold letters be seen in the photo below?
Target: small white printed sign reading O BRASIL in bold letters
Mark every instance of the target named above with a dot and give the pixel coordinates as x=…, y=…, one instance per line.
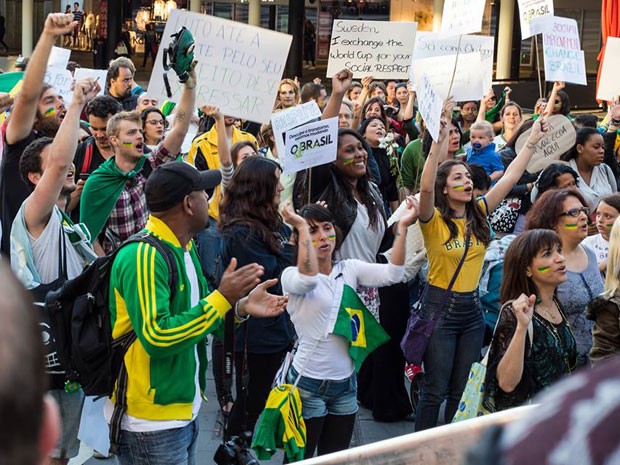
x=310, y=145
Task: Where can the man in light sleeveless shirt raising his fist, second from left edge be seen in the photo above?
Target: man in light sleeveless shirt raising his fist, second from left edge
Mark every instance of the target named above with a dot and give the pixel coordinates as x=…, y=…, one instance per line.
x=46, y=246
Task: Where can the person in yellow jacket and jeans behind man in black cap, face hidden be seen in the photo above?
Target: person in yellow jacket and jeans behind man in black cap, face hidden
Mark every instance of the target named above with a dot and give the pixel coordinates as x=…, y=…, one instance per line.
x=203, y=154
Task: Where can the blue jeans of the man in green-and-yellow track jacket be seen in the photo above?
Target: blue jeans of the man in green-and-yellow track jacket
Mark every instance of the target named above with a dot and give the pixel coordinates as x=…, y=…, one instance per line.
x=166, y=447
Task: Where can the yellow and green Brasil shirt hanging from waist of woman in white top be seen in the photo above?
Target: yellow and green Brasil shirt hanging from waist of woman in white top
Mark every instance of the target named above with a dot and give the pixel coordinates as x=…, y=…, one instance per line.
x=281, y=425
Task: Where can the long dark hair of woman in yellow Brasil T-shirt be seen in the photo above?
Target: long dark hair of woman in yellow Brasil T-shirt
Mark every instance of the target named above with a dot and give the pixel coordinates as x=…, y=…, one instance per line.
x=476, y=220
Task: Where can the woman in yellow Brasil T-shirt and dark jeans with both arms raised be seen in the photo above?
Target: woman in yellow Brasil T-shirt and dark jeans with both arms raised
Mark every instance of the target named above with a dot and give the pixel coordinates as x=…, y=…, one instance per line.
x=448, y=214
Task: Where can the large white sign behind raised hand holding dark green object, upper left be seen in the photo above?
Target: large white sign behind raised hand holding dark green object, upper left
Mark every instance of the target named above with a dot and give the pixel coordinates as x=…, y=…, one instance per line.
x=239, y=66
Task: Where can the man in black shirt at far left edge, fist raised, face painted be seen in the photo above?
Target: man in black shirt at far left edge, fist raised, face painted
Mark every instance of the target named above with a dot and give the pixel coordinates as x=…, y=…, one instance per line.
x=37, y=112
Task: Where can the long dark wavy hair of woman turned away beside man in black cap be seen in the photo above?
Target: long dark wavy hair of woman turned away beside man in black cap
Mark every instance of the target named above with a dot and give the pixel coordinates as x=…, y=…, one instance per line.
x=248, y=200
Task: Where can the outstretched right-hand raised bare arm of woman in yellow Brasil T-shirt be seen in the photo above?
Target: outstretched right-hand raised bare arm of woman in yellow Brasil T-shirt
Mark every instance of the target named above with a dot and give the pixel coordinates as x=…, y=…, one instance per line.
x=515, y=170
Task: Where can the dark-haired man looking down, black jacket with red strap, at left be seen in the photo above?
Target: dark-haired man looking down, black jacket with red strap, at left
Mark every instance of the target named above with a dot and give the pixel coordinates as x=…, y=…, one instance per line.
x=95, y=150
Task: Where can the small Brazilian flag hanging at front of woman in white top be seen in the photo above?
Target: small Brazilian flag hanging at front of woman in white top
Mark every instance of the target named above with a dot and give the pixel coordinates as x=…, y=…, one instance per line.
x=356, y=324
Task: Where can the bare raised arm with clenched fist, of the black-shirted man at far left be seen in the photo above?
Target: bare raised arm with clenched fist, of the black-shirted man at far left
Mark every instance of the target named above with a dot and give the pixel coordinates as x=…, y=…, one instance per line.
x=25, y=108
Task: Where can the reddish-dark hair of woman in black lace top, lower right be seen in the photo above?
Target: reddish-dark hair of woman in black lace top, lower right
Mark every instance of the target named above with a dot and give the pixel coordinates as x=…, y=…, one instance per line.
x=519, y=256
